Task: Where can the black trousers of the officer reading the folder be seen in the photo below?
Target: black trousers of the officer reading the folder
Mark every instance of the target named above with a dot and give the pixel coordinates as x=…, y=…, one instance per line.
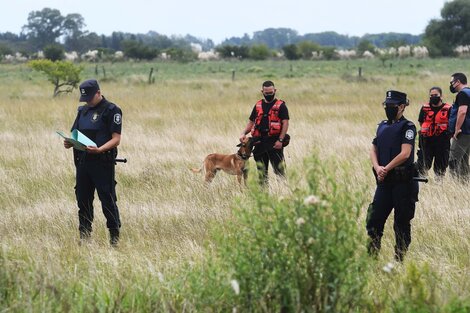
x=96, y=175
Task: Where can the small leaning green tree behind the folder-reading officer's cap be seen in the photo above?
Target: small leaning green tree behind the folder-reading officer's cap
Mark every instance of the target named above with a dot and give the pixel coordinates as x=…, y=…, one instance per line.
x=64, y=75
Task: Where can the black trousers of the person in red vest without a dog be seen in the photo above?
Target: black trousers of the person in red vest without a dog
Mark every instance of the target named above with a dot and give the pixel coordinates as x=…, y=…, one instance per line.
x=435, y=148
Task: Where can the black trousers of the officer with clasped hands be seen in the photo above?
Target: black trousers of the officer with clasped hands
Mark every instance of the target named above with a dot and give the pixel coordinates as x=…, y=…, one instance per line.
x=402, y=198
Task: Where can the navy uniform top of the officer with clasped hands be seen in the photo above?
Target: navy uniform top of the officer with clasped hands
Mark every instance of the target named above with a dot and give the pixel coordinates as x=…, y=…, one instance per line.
x=390, y=137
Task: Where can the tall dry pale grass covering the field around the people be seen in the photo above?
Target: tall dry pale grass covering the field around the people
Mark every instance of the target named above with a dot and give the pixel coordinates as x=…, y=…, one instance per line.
x=168, y=128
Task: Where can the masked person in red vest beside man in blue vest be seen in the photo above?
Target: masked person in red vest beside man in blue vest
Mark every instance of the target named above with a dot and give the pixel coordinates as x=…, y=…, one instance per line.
x=434, y=137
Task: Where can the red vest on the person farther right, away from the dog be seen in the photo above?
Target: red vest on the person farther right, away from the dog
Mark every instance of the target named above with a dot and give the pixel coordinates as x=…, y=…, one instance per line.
x=435, y=124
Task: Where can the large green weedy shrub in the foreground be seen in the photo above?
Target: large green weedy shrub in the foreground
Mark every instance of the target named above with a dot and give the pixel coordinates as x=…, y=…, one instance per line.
x=288, y=255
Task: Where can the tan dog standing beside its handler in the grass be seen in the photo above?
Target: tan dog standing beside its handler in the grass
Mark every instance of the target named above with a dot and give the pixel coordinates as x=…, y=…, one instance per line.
x=233, y=164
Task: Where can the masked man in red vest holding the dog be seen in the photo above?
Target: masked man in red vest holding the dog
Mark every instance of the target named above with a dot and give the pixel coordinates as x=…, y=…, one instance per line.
x=268, y=123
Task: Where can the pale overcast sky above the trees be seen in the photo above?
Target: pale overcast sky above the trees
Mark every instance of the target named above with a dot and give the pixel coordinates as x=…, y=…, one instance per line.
x=218, y=20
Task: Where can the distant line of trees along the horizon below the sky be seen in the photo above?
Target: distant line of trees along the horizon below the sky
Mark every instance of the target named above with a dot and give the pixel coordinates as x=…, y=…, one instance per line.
x=49, y=30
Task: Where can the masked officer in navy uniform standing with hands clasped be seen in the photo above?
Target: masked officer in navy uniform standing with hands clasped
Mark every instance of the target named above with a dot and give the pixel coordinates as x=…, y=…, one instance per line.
x=392, y=157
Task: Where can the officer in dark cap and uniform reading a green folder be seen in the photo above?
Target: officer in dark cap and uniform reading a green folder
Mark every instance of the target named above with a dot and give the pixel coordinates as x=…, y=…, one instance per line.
x=101, y=121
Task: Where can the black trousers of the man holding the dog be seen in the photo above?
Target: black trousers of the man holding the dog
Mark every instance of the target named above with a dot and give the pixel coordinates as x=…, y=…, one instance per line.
x=264, y=153
